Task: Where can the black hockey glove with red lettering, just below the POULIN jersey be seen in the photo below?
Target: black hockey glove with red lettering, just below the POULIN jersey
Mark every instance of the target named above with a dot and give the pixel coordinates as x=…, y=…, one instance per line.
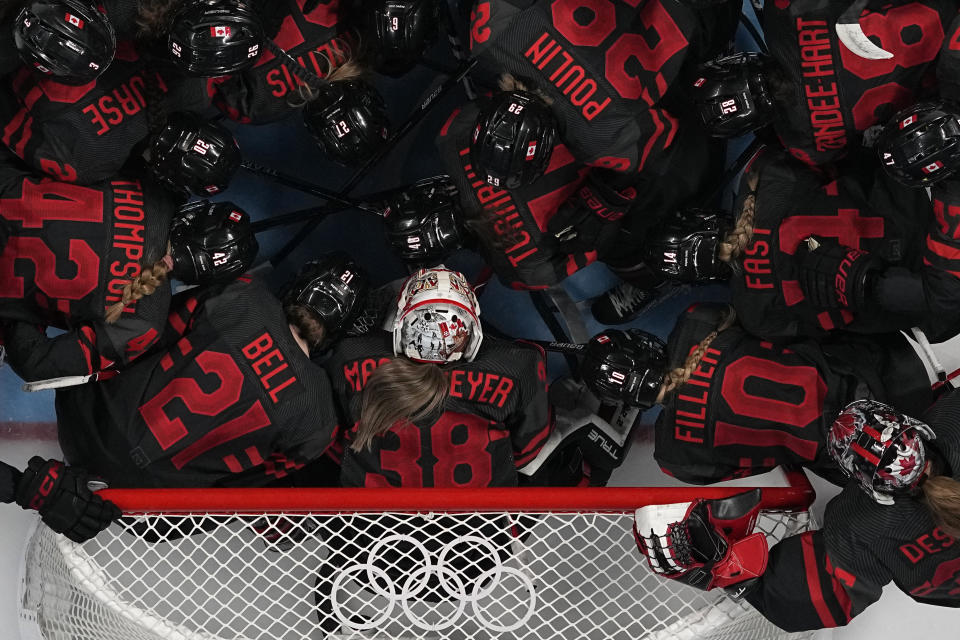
x=590, y=219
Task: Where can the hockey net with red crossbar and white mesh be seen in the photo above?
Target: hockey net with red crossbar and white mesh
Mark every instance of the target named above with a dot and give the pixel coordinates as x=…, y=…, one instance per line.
x=517, y=564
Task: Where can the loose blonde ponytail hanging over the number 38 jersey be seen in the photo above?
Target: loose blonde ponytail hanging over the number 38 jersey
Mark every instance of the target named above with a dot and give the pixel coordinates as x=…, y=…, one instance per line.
x=399, y=390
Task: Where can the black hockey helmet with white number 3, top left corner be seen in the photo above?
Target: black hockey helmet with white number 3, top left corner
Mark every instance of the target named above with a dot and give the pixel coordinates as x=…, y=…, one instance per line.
x=70, y=40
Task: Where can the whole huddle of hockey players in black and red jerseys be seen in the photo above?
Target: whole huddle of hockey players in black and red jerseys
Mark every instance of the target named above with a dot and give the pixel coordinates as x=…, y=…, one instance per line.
x=598, y=134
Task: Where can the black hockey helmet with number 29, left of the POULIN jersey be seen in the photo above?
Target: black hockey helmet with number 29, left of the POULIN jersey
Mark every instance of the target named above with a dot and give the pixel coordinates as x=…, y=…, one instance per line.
x=513, y=139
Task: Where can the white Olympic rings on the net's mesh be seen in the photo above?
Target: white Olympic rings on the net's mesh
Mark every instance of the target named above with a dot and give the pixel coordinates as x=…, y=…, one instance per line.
x=414, y=585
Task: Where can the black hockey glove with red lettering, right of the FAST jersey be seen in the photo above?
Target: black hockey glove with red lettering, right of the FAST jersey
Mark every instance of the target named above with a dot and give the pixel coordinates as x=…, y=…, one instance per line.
x=833, y=276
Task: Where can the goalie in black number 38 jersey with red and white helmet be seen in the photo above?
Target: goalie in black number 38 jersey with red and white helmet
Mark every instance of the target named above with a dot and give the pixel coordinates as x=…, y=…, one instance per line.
x=429, y=405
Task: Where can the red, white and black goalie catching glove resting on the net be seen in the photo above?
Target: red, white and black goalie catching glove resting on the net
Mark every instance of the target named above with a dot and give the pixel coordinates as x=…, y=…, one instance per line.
x=704, y=543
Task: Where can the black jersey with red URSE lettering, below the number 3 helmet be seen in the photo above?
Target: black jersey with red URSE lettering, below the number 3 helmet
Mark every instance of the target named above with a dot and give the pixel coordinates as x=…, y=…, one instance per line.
x=85, y=132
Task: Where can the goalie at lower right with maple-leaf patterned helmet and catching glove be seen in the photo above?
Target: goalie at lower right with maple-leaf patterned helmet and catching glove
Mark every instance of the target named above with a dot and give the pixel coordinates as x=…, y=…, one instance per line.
x=896, y=520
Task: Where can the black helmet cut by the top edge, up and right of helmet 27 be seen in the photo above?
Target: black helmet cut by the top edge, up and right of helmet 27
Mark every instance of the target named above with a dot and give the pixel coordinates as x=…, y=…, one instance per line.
x=398, y=32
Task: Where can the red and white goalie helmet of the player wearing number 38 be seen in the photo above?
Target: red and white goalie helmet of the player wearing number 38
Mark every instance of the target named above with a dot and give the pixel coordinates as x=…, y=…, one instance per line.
x=437, y=318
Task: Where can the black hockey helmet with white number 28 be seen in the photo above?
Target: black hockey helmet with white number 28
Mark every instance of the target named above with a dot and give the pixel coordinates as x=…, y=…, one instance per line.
x=731, y=94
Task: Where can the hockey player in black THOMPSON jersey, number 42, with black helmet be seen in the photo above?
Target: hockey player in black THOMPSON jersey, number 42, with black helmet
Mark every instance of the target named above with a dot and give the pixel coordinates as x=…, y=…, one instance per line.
x=122, y=238
